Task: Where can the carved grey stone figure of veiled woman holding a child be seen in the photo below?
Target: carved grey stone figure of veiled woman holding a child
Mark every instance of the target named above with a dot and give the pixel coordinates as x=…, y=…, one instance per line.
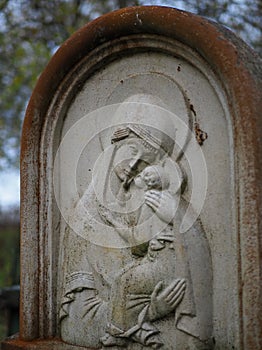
x=136, y=281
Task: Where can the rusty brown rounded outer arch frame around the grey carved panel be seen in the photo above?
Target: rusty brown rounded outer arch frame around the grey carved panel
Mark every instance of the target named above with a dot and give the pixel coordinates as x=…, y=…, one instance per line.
x=235, y=66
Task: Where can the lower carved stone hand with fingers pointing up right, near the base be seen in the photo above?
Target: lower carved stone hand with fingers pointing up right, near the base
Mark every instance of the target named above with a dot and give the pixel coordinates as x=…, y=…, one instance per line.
x=165, y=300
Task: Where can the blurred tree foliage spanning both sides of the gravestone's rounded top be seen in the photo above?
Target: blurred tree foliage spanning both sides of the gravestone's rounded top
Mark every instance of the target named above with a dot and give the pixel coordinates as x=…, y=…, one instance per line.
x=32, y=30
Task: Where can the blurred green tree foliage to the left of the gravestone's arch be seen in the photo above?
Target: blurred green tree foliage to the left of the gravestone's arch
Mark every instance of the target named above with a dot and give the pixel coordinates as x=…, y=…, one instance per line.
x=31, y=31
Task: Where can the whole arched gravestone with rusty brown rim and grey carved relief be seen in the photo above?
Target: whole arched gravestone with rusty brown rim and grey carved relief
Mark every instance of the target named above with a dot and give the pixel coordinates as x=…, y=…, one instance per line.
x=141, y=189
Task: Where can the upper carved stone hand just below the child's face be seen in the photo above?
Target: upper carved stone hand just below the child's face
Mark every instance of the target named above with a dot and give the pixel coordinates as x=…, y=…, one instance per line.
x=163, y=203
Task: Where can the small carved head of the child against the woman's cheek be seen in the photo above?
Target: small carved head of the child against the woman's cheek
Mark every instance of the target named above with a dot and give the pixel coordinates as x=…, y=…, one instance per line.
x=155, y=178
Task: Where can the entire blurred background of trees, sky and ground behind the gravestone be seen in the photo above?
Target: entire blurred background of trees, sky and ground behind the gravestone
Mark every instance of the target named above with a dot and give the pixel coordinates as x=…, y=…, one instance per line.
x=30, y=33
